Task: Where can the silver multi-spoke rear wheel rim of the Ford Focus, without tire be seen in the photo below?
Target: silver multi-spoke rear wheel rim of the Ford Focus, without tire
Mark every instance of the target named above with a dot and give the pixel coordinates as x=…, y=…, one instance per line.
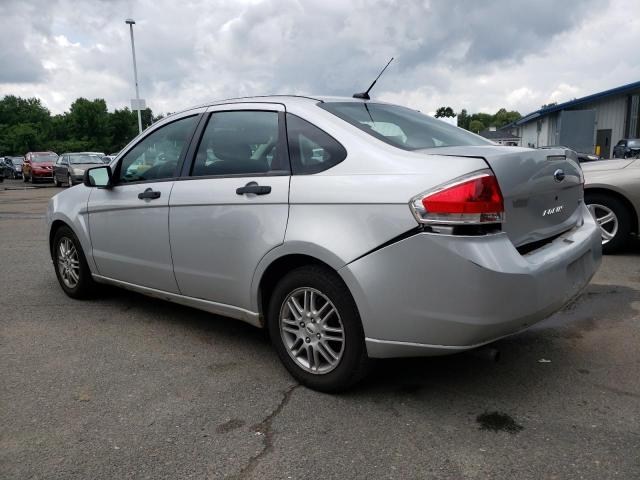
x=312, y=331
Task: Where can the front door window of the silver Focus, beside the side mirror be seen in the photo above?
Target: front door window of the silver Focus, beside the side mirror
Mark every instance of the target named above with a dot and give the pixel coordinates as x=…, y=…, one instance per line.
x=156, y=156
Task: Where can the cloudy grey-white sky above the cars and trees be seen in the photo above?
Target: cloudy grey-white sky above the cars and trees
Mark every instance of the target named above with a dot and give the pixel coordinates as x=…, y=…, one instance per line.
x=478, y=55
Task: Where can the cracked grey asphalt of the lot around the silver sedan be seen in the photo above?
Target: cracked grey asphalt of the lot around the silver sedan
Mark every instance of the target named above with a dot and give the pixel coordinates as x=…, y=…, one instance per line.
x=126, y=386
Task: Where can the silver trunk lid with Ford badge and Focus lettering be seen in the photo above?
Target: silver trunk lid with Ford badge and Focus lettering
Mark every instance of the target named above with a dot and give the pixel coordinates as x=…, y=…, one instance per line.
x=537, y=204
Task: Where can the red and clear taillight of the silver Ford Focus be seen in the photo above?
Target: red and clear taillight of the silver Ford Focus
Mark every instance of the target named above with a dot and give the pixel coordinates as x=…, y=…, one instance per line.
x=472, y=199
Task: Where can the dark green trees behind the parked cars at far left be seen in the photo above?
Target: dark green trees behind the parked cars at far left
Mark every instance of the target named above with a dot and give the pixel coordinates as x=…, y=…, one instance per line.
x=26, y=125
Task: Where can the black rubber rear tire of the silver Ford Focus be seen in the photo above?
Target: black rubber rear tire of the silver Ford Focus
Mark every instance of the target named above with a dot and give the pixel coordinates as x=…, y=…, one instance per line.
x=353, y=363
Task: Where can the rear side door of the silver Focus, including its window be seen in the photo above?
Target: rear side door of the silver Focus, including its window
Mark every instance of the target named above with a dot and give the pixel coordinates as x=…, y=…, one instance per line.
x=231, y=206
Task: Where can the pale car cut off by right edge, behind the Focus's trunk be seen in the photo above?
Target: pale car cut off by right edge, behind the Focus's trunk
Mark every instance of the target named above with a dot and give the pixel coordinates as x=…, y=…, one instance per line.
x=612, y=194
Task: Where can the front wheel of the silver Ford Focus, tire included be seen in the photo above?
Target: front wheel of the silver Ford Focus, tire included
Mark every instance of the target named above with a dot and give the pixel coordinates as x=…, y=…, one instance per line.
x=71, y=266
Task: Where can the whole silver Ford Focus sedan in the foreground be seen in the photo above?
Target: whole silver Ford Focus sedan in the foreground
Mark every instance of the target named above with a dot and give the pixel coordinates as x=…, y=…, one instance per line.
x=349, y=229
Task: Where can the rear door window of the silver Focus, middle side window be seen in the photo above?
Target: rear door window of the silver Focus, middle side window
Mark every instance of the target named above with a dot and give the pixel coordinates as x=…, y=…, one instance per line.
x=239, y=142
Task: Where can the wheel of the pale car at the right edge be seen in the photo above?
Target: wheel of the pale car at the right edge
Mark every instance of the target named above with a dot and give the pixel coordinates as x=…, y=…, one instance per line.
x=613, y=218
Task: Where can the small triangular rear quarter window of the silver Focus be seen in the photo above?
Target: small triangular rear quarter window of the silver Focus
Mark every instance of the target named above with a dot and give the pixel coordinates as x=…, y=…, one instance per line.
x=311, y=150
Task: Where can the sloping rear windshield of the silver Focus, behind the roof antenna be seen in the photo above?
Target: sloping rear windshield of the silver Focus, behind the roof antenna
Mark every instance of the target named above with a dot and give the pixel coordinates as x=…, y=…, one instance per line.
x=402, y=127
